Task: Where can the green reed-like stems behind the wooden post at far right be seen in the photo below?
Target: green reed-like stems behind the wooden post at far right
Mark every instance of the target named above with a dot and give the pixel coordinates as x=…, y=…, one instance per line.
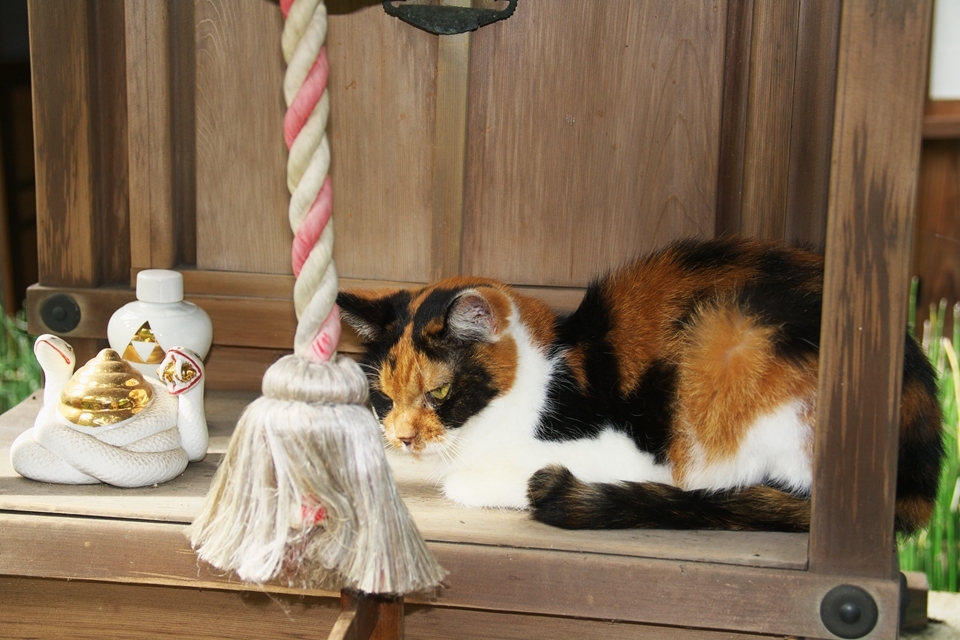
x=935, y=550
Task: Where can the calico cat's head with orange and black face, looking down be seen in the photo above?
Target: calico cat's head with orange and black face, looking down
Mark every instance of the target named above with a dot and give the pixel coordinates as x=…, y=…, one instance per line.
x=435, y=358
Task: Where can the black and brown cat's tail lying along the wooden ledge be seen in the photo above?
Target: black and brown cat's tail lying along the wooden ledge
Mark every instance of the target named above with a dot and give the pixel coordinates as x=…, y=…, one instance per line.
x=558, y=498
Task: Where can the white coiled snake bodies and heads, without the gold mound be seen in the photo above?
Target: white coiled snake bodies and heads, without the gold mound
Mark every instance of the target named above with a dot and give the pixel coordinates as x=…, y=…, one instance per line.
x=151, y=447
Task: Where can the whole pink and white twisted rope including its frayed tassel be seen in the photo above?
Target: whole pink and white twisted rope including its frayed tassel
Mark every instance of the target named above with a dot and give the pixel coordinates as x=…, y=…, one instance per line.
x=304, y=493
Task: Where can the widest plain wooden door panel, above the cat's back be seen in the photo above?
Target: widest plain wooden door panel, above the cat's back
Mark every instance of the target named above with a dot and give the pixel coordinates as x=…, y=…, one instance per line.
x=604, y=148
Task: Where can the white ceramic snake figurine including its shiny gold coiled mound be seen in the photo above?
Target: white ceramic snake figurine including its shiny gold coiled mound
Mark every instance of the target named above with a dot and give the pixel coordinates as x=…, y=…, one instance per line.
x=107, y=423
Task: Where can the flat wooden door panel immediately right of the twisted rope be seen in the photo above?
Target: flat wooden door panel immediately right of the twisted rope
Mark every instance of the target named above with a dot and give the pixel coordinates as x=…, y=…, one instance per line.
x=383, y=95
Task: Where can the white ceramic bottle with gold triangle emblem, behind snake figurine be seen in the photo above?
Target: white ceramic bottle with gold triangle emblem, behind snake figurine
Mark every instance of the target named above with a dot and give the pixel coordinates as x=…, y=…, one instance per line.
x=142, y=331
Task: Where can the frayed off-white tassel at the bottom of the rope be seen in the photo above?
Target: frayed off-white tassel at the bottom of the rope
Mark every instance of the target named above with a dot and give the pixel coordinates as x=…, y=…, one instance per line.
x=304, y=494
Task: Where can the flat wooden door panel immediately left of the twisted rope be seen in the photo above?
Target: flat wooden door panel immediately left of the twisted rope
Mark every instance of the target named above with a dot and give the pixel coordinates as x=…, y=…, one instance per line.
x=241, y=192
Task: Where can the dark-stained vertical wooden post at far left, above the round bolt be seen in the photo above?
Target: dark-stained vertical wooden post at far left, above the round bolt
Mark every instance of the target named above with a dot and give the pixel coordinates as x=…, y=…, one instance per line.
x=64, y=142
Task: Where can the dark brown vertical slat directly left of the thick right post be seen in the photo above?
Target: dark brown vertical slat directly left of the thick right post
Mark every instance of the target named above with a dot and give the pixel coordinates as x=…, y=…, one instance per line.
x=811, y=131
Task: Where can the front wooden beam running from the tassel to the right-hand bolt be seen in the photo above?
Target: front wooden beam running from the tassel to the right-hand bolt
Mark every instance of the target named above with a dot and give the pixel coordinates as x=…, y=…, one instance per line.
x=648, y=590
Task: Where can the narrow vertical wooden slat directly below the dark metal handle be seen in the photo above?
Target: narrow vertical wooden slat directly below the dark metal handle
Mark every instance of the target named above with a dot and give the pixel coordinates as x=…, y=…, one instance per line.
x=450, y=151
